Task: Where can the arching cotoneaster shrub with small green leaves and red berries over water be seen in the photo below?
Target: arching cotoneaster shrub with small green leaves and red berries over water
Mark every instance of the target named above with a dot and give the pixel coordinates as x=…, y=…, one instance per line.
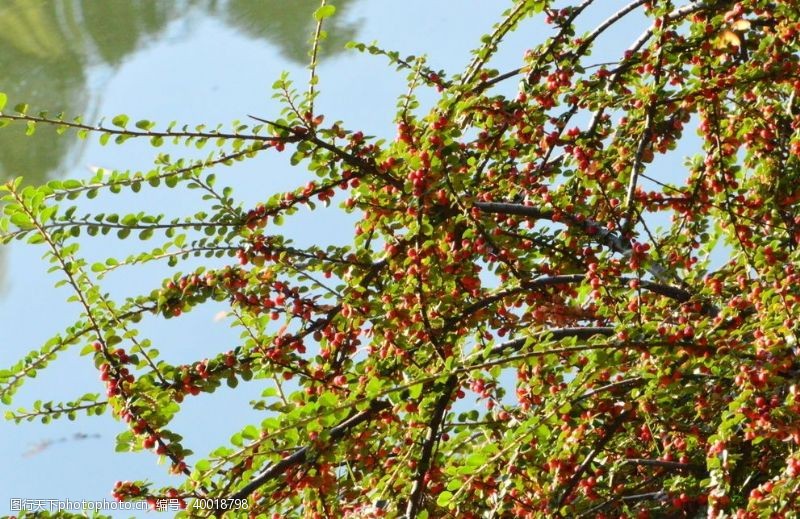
x=507, y=334
